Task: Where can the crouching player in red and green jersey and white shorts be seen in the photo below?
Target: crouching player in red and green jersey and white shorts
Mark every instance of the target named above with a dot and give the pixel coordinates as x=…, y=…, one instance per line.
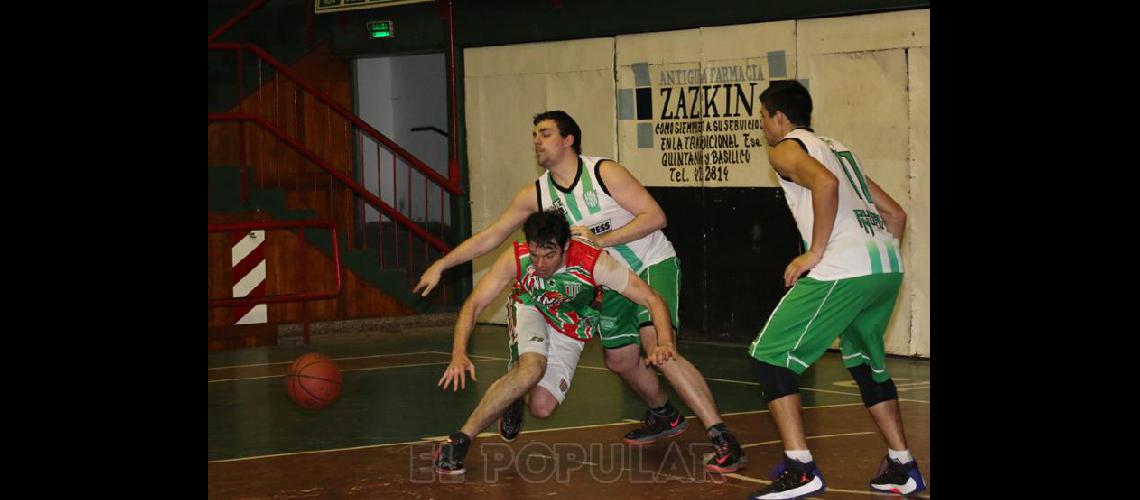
x=552, y=314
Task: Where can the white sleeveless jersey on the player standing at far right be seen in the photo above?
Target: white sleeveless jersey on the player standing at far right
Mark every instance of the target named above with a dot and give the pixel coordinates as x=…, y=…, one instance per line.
x=860, y=243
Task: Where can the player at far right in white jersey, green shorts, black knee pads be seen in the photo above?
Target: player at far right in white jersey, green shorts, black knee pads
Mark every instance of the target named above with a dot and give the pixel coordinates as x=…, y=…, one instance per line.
x=851, y=229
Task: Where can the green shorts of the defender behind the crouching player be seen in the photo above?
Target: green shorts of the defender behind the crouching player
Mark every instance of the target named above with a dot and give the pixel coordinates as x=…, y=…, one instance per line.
x=622, y=318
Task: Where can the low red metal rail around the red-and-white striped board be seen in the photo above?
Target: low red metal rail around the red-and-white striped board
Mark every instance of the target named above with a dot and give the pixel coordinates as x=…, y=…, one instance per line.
x=278, y=299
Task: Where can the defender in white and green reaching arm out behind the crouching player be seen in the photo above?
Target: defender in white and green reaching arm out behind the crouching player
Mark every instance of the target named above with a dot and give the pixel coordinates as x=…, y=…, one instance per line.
x=604, y=202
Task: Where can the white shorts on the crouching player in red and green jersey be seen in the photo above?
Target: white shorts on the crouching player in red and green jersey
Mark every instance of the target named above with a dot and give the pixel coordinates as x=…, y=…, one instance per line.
x=531, y=333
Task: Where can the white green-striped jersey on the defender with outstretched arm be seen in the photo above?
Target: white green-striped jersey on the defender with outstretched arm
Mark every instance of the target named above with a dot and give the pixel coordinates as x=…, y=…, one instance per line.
x=588, y=202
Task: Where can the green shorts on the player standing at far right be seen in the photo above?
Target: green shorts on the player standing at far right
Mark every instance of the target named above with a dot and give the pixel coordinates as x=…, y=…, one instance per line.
x=813, y=314
